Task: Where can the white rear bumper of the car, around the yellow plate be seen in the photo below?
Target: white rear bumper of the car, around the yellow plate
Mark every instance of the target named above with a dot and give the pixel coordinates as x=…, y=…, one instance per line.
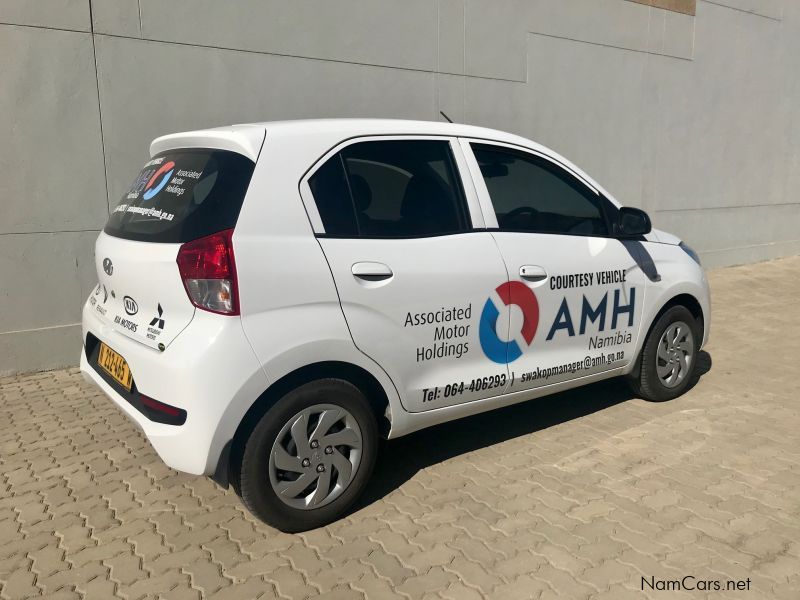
x=209, y=370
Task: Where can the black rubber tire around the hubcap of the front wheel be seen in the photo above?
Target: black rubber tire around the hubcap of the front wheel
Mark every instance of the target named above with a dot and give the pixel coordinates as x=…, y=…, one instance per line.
x=644, y=380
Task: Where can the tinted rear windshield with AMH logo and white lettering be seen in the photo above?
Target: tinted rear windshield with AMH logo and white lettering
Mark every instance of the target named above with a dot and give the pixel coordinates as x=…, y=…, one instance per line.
x=183, y=195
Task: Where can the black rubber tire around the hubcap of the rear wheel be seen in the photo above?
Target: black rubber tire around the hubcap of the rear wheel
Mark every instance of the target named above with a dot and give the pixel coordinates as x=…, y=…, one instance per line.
x=253, y=479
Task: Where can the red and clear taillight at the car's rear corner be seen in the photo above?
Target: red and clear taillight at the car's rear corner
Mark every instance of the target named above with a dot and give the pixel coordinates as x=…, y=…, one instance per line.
x=208, y=271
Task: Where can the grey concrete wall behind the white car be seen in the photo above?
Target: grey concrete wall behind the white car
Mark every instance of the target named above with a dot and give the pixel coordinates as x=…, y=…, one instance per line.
x=693, y=118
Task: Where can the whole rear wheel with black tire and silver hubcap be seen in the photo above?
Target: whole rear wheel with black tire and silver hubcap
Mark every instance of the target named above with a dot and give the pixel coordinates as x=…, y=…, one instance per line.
x=310, y=456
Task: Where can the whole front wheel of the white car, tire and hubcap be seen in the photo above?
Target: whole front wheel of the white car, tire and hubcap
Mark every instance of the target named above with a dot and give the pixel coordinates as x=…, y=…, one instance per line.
x=669, y=356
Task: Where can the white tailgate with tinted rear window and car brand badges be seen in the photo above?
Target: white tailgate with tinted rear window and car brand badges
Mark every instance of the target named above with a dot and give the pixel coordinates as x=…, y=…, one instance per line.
x=180, y=195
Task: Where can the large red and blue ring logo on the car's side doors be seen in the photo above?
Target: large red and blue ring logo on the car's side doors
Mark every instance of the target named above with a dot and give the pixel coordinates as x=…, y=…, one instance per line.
x=495, y=349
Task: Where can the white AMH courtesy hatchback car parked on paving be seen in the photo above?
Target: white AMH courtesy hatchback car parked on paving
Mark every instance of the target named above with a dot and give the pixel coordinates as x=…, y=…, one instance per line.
x=274, y=297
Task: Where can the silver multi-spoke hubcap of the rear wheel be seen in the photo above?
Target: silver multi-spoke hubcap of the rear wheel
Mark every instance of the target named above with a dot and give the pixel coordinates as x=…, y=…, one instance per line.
x=315, y=456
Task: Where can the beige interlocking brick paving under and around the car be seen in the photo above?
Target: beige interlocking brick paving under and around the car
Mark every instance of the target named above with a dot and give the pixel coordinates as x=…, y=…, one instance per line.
x=575, y=496
